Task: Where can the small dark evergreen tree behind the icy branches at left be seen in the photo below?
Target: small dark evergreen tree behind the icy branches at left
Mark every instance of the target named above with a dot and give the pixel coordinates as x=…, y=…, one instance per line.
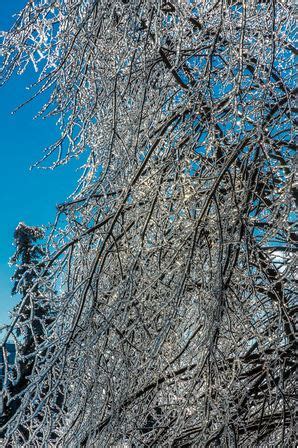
x=32, y=318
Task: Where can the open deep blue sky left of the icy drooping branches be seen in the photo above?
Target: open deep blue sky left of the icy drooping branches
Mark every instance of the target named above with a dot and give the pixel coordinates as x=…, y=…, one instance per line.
x=29, y=196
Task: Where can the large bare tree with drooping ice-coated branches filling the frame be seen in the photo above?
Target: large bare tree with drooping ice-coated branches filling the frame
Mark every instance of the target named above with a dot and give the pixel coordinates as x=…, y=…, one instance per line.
x=174, y=325
